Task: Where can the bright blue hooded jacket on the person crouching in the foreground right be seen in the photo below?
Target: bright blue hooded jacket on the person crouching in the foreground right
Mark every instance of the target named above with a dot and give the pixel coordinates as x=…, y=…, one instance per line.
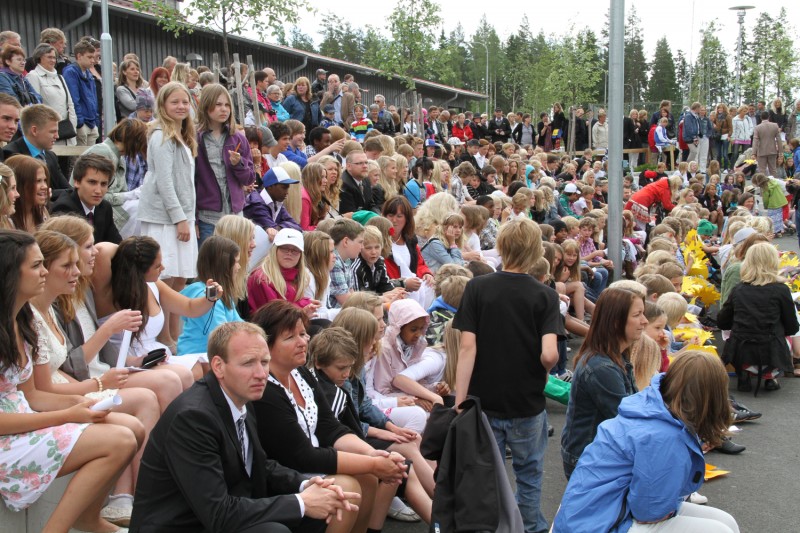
x=643, y=463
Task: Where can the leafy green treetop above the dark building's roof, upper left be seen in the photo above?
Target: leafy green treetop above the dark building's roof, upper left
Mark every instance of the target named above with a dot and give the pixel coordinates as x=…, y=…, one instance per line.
x=227, y=17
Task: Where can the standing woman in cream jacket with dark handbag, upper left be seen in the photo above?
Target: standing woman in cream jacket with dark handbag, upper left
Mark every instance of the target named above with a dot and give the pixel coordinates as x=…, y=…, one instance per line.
x=51, y=86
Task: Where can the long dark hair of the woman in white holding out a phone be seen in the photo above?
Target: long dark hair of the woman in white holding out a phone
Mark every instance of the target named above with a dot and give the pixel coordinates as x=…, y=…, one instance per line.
x=134, y=257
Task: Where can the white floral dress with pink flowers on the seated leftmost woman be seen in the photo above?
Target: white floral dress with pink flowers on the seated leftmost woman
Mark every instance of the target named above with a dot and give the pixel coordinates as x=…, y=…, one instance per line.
x=29, y=462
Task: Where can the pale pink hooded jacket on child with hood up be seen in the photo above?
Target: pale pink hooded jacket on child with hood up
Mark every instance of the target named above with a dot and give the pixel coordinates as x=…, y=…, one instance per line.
x=390, y=363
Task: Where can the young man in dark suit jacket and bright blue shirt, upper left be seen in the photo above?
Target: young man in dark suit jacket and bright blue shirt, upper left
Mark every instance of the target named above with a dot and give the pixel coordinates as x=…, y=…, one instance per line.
x=39, y=133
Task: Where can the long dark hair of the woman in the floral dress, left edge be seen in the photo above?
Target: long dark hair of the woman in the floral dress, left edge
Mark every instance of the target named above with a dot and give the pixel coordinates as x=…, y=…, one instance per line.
x=14, y=246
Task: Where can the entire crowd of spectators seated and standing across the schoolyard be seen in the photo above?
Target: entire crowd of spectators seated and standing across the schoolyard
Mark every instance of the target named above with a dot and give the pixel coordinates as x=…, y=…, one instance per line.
x=278, y=306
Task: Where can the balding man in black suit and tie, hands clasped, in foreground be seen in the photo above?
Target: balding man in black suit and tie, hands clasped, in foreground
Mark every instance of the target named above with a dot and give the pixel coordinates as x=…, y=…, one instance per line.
x=204, y=470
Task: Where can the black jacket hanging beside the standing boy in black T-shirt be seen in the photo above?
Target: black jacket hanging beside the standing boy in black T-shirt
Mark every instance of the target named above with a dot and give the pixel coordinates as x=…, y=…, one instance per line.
x=468, y=457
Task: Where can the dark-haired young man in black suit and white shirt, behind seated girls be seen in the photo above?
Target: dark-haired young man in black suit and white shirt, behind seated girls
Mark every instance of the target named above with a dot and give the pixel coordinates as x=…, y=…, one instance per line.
x=92, y=174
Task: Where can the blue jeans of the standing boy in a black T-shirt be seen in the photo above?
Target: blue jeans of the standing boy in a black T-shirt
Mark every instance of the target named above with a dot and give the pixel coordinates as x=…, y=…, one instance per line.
x=527, y=440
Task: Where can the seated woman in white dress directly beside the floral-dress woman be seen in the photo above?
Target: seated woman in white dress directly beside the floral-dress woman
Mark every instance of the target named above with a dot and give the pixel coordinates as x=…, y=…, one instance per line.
x=61, y=259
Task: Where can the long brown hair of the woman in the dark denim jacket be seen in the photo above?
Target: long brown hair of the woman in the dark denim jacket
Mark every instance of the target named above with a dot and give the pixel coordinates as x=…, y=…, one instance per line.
x=607, y=331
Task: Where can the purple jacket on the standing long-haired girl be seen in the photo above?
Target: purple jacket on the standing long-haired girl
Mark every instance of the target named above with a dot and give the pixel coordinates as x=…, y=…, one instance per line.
x=209, y=197
